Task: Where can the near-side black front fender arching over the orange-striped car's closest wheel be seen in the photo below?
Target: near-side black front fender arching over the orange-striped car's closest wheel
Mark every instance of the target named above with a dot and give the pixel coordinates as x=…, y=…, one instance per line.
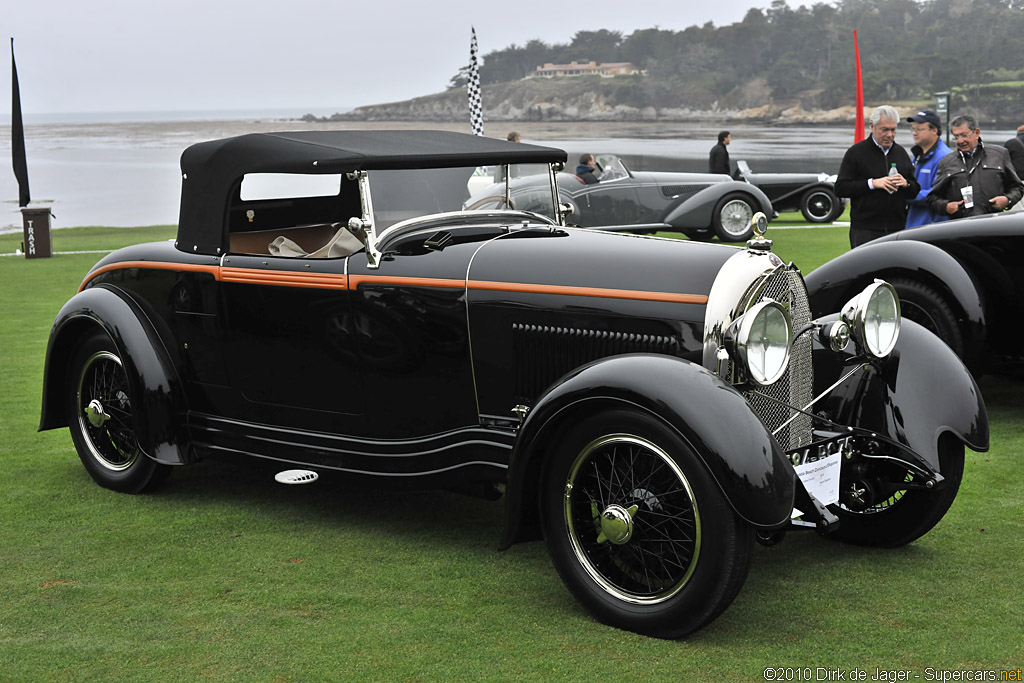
x=746, y=462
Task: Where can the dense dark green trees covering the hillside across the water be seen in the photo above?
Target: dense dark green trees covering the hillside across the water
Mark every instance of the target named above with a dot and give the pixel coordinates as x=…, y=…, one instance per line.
x=910, y=50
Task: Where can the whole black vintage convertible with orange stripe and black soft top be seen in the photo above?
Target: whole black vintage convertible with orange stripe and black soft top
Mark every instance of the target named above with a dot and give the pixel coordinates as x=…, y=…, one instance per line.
x=651, y=407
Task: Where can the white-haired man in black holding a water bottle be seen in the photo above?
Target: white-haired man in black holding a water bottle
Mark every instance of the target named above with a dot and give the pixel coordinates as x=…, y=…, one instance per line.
x=878, y=177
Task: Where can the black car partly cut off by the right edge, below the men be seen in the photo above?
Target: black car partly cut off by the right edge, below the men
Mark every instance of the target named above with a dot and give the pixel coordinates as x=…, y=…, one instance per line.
x=961, y=279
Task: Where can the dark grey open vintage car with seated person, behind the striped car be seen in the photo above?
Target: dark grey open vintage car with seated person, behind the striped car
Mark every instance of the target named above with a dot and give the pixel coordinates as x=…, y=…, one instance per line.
x=700, y=205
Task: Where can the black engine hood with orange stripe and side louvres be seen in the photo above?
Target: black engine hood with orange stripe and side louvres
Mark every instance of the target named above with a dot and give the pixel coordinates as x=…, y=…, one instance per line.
x=545, y=302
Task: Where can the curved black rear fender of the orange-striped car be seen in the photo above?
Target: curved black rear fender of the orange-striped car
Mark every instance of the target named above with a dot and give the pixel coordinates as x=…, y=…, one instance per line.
x=160, y=421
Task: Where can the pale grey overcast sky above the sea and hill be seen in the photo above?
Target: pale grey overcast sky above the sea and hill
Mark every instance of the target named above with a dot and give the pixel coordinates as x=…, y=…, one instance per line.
x=108, y=56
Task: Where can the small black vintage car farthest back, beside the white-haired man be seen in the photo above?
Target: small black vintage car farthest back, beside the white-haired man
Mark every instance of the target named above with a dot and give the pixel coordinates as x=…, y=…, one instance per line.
x=812, y=194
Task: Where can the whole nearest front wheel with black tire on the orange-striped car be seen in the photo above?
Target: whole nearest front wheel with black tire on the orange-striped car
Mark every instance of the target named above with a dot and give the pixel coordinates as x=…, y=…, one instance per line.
x=681, y=558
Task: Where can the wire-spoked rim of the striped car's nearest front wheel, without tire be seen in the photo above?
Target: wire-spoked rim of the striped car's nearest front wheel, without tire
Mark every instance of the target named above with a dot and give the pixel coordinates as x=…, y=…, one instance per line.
x=632, y=519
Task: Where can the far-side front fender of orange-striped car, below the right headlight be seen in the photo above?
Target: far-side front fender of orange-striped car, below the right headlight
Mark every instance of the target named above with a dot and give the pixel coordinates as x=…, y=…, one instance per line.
x=922, y=392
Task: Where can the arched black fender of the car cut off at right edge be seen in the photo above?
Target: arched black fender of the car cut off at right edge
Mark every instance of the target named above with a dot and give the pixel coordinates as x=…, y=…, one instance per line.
x=831, y=286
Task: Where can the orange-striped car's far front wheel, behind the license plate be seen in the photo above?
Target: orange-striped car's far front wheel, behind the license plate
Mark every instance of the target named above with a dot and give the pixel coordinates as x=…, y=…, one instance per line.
x=897, y=511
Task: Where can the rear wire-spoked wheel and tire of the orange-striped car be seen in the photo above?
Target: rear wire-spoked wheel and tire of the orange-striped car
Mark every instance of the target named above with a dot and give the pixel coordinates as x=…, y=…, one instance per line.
x=100, y=411
